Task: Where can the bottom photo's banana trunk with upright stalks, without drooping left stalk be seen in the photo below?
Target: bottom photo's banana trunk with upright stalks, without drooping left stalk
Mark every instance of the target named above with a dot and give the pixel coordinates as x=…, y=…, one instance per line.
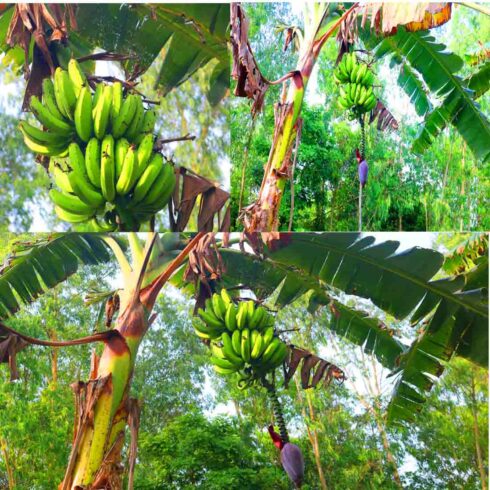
x=103, y=404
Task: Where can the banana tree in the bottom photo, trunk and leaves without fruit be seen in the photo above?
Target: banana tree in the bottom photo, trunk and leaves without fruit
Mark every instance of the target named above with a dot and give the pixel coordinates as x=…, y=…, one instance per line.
x=449, y=311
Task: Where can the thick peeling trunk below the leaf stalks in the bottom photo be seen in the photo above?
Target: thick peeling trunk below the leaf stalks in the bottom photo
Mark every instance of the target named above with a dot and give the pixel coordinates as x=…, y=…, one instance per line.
x=96, y=463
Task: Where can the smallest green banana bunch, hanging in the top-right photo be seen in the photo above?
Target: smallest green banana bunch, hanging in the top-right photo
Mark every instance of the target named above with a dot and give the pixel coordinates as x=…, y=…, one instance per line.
x=356, y=85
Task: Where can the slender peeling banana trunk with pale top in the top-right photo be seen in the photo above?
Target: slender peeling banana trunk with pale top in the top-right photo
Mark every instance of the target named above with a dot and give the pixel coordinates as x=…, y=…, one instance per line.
x=263, y=215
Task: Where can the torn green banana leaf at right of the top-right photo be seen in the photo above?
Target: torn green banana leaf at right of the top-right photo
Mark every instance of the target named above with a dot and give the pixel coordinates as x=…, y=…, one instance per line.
x=419, y=51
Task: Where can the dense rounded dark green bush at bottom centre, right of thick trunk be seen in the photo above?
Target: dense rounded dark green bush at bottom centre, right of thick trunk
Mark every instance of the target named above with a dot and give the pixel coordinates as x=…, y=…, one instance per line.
x=194, y=451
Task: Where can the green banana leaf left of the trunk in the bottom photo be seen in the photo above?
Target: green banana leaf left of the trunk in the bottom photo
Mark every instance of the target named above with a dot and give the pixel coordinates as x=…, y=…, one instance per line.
x=33, y=268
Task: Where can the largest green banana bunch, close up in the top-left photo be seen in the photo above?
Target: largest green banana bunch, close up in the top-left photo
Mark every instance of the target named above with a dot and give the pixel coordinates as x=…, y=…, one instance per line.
x=101, y=149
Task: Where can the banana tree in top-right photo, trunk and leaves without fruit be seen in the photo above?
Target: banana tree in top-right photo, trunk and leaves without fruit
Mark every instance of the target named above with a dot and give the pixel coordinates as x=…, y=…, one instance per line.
x=428, y=73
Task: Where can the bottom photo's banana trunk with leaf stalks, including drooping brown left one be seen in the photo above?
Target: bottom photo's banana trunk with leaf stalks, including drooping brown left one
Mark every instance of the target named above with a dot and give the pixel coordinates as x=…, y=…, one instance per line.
x=103, y=406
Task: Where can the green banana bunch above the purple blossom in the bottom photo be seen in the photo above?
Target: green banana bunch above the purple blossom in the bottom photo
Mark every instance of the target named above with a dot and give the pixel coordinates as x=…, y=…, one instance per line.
x=242, y=337
